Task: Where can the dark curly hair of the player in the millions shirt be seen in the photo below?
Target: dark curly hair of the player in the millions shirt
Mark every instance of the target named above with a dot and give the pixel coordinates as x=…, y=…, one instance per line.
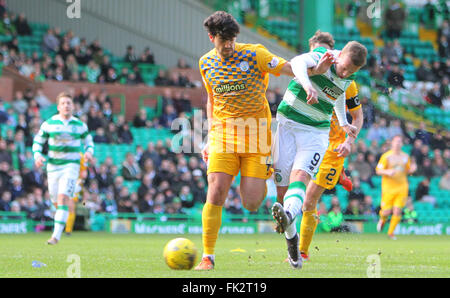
x=222, y=24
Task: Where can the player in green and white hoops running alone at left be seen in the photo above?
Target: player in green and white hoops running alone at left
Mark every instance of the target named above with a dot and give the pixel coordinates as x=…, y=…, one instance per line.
x=67, y=136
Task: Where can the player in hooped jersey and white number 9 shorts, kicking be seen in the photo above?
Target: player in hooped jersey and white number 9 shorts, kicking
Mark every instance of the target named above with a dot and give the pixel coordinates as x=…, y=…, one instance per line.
x=304, y=119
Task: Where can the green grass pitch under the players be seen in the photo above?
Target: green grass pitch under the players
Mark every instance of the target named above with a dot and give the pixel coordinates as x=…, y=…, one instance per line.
x=247, y=256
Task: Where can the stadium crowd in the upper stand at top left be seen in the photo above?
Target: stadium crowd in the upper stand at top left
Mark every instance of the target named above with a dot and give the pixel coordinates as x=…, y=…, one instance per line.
x=67, y=57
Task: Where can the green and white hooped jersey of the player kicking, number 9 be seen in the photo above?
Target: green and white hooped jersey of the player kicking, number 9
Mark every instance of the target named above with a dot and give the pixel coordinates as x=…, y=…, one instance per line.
x=331, y=91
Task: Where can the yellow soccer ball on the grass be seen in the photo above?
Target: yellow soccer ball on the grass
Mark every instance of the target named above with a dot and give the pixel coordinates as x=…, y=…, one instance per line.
x=180, y=254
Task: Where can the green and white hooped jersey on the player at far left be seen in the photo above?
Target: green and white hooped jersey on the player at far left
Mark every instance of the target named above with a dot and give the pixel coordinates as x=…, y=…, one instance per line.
x=66, y=140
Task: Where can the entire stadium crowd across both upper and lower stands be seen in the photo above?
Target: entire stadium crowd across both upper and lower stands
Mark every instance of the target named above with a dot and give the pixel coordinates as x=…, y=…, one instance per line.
x=172, y=183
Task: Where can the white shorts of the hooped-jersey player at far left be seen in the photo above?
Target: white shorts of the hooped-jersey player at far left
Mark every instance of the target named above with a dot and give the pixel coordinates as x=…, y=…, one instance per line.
x=63, y=181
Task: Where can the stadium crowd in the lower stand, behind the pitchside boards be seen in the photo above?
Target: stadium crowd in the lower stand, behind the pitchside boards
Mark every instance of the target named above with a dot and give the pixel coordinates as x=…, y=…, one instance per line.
x=169, y=182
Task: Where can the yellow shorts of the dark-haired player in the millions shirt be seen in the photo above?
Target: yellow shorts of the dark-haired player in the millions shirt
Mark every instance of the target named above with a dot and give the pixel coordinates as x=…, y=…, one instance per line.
x=250, y=164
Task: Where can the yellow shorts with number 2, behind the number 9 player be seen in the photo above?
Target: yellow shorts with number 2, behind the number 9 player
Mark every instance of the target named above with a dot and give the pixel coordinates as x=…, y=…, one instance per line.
x=330, y=170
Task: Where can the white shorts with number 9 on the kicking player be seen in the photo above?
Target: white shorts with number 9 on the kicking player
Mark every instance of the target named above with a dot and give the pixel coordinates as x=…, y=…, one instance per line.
x=297, y=148
